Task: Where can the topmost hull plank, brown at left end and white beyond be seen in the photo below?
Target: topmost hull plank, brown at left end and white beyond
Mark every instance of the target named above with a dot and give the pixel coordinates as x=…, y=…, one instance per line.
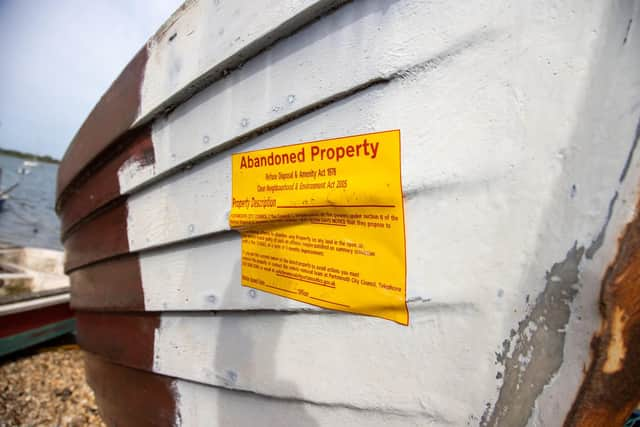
x=165, y=70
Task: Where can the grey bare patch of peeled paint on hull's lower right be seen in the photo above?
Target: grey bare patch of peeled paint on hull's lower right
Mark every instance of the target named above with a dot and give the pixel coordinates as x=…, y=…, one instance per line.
x=537, y=345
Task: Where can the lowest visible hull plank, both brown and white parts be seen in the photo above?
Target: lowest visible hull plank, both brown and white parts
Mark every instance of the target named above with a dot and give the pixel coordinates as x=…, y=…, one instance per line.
x=162, y=400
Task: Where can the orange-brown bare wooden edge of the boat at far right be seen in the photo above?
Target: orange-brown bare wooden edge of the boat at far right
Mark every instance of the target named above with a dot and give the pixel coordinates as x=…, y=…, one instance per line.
x=611, y=388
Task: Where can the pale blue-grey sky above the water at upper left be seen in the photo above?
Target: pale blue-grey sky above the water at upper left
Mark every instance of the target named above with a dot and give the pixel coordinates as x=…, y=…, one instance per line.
x=57, y=58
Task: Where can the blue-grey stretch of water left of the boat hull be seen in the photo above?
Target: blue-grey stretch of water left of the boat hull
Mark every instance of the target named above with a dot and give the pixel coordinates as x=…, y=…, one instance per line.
x=28, y=217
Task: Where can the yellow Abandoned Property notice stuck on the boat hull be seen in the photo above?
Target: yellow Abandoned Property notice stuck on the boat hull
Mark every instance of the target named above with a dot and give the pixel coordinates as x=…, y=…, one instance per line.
x=323, y=223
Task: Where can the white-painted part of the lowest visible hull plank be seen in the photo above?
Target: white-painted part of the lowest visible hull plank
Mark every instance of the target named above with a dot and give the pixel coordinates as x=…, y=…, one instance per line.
x=200, y=405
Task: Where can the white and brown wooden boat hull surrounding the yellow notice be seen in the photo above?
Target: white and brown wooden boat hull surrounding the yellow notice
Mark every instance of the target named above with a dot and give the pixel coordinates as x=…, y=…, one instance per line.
x=520, y=183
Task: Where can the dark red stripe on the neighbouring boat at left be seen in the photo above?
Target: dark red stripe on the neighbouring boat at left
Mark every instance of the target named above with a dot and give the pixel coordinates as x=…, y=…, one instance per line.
x=24, y=321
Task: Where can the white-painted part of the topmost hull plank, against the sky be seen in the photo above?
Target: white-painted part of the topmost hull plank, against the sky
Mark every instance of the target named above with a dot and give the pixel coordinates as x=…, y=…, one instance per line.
x=209, y=35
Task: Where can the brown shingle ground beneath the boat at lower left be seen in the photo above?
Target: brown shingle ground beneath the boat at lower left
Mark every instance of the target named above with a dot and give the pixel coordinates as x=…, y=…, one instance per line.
x=47, y=389
